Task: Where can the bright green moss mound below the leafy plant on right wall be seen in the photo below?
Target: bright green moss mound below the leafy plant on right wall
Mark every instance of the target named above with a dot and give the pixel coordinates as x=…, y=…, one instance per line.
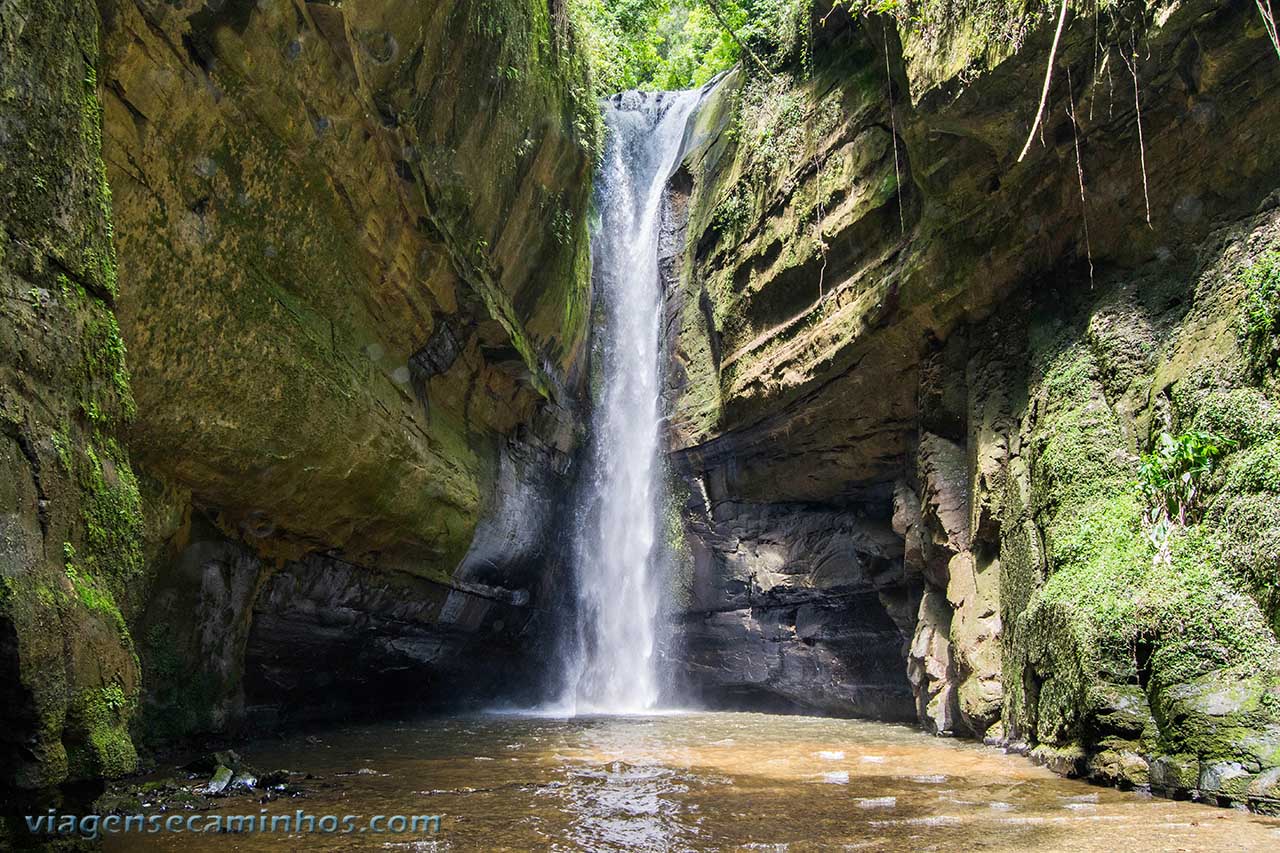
x=1109, y=597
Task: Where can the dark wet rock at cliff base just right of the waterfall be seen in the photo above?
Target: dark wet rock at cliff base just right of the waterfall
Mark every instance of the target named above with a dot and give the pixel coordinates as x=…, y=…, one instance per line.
x=797, y=610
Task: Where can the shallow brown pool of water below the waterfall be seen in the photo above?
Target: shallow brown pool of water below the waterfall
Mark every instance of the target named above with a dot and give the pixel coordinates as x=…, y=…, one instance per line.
x=705, y=782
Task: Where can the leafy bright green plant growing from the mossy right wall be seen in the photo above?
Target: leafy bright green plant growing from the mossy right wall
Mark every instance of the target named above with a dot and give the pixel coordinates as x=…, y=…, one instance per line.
x=1171, y=478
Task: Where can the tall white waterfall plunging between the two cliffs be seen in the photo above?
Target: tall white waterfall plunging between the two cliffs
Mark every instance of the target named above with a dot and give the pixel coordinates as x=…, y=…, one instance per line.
x=615, y=669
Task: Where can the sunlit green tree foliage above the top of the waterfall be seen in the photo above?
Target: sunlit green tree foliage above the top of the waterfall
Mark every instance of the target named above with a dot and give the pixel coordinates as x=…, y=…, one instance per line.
x=679, y=44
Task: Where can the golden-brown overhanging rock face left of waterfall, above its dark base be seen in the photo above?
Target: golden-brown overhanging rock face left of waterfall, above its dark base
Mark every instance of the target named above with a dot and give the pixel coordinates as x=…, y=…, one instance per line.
x=356, y=252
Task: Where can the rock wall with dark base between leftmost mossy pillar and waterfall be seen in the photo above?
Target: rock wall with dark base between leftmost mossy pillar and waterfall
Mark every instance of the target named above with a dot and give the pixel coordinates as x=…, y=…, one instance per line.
x=356, y=252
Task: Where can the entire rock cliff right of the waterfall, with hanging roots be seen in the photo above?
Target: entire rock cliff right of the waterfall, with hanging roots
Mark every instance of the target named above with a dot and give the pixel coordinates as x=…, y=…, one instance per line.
x=912, y=382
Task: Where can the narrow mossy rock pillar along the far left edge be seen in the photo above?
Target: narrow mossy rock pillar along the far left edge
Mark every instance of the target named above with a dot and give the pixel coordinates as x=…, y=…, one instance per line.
x=70, y=508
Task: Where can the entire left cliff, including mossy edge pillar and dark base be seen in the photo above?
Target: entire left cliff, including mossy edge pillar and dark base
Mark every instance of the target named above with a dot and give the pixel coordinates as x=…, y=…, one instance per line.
x=354, y=290
